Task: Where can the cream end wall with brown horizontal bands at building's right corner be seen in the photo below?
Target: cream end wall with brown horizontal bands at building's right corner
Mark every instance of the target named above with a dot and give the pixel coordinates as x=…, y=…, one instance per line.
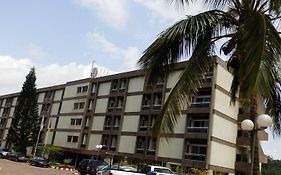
x=222, y=124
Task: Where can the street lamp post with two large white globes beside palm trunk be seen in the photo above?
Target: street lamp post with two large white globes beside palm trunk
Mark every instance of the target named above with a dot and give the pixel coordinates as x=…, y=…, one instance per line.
x=262, y=122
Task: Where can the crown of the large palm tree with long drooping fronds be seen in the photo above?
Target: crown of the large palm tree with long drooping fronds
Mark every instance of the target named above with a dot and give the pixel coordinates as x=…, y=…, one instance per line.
x=251, y=42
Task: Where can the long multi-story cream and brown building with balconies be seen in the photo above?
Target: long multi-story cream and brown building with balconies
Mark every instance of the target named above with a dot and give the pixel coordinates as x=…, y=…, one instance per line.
x=117, y=111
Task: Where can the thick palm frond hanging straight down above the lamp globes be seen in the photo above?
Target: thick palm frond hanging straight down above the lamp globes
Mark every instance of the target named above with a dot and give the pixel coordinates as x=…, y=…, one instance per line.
x=248, y=55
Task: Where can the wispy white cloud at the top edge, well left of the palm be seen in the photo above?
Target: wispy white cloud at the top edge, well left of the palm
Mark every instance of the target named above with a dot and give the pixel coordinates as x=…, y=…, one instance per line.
x=112, y=12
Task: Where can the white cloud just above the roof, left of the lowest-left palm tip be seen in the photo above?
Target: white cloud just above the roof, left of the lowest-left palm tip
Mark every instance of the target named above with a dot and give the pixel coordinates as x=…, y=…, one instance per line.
x=128, y=56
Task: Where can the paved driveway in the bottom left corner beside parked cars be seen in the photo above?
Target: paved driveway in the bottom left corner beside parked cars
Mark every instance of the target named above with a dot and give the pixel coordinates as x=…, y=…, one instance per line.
x=8, y=167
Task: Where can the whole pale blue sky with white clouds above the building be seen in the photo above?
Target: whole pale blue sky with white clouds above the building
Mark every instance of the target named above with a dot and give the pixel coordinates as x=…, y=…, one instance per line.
x=62, y=39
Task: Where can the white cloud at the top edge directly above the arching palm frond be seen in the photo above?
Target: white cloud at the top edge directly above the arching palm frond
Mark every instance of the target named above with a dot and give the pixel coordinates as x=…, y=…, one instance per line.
x=166, y=11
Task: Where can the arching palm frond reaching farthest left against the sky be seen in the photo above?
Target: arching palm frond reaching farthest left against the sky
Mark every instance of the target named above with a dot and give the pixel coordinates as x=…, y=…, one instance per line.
x=177, y=42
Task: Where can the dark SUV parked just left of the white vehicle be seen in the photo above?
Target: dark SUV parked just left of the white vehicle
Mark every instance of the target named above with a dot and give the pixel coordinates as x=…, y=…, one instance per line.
x=88, y=166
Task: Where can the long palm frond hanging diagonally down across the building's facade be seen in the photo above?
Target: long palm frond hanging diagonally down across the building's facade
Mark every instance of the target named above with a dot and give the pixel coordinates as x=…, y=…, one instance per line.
x=191, y=79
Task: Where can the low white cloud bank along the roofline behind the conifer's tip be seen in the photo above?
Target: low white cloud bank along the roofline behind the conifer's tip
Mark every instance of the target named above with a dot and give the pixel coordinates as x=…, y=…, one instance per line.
x=15, y=71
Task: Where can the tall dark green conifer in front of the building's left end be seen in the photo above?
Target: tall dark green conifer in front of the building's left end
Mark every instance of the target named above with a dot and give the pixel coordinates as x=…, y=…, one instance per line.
x=25, y=124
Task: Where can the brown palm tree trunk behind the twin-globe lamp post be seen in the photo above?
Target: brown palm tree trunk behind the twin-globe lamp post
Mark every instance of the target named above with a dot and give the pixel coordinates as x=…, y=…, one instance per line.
x=254, y=138
